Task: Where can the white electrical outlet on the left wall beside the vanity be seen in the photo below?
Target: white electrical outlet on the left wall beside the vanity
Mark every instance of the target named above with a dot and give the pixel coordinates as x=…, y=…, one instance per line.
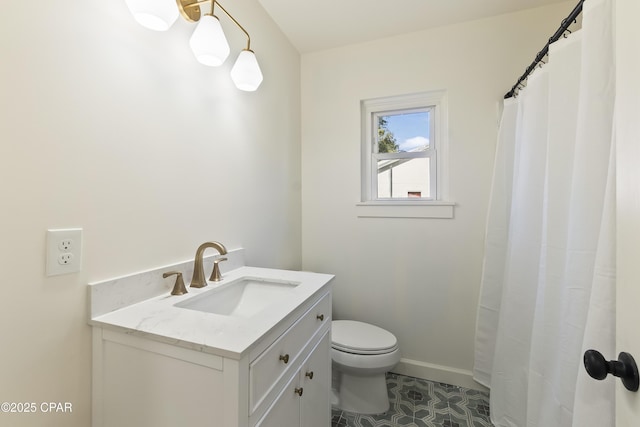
x=64, y=251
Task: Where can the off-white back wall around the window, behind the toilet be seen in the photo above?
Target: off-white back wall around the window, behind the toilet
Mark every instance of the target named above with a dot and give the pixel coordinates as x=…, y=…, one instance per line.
x=418, y=278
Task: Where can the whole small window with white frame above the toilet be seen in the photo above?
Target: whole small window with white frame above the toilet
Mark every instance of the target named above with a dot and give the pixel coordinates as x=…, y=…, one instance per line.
x=404, y=149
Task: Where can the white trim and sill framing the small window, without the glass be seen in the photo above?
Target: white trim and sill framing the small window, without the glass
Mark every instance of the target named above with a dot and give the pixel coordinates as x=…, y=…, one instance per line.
x=441, y=207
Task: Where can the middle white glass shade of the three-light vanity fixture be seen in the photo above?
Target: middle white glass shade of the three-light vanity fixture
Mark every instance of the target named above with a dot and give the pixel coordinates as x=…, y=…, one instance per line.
x=208, y=42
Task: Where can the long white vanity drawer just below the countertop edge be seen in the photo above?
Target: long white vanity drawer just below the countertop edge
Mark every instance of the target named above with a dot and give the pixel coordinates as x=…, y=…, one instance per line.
x=282, y=355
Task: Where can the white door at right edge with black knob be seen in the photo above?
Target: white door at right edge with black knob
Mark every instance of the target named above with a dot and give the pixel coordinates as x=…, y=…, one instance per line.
x=627, y=33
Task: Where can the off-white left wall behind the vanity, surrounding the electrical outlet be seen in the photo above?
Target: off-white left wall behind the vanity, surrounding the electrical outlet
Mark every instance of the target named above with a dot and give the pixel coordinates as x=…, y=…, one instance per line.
x=117, y=129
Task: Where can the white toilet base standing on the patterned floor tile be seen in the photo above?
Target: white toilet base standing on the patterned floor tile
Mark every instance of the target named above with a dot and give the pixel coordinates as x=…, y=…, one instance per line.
x=363, y=394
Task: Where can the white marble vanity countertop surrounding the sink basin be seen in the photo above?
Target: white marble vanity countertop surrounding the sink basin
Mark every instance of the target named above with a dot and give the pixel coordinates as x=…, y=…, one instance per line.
x=159, y=319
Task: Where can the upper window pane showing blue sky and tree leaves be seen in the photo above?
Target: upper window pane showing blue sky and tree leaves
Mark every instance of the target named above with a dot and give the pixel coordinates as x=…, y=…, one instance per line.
x=403, y=132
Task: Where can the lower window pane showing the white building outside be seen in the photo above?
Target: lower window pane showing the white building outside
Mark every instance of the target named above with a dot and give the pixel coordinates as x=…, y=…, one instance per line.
x=403, y=178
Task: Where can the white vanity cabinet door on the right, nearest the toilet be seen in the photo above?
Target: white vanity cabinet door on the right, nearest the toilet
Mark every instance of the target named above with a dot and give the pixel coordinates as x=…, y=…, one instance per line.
x=315, y=380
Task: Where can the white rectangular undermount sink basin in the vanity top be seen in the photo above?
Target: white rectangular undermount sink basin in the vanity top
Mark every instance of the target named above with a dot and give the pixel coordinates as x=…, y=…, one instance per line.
x=243, y=297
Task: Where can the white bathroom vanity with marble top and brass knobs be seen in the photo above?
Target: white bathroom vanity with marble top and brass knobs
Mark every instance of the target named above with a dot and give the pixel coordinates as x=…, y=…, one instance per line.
x=251, y=350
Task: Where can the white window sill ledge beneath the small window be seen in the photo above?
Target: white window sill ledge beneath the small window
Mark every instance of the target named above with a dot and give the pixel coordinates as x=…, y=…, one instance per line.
x=399, y=209
